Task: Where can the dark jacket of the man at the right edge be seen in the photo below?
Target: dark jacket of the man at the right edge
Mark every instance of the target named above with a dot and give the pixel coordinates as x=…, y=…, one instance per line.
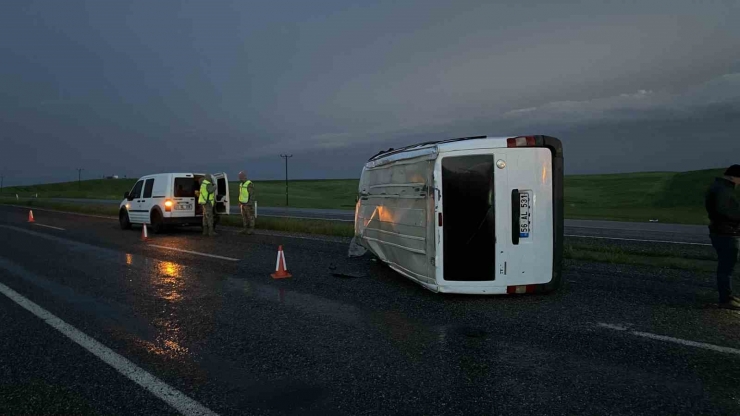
x=723, y=208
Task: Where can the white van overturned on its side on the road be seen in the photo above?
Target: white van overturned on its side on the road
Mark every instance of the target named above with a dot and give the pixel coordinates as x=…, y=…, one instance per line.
x=475, y=215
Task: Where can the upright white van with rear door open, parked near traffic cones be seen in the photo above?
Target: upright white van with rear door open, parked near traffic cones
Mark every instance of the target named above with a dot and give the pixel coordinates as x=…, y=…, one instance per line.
x=169, y=199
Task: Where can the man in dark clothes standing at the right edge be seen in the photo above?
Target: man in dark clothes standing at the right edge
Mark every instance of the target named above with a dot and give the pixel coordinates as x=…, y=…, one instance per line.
x=723, y=208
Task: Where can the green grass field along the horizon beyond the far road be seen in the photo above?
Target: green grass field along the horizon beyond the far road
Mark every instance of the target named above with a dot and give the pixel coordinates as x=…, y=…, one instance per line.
x=669, y=197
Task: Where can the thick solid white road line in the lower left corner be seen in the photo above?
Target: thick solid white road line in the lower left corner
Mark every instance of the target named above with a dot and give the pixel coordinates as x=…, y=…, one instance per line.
x=173, y=397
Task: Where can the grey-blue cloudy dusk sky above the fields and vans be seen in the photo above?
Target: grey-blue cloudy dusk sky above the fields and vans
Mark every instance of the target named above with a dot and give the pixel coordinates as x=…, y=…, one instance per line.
x=138, y=87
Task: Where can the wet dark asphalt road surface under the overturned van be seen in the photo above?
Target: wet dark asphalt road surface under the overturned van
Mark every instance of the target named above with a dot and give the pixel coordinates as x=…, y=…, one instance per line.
x=228, y=336
